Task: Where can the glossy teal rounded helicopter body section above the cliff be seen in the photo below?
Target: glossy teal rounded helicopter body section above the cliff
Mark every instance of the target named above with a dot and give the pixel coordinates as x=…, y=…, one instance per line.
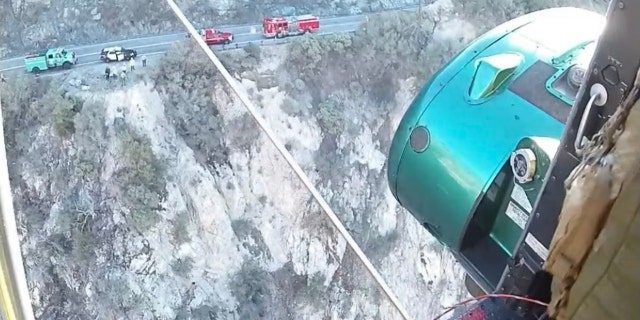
x=511, y=88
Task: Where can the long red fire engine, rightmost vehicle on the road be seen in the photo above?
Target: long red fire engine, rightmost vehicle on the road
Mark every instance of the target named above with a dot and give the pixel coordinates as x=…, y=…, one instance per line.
x=290, y=26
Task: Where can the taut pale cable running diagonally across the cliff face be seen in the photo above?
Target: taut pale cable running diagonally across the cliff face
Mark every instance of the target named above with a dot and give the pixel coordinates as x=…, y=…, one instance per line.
x=289, y=158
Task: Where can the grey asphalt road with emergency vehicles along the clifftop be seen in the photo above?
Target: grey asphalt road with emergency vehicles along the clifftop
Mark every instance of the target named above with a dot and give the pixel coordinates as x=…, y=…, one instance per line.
x=152, y=45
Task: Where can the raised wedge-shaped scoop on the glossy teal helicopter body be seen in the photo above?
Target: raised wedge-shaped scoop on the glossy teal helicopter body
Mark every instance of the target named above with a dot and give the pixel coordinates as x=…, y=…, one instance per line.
x=491, y=73
